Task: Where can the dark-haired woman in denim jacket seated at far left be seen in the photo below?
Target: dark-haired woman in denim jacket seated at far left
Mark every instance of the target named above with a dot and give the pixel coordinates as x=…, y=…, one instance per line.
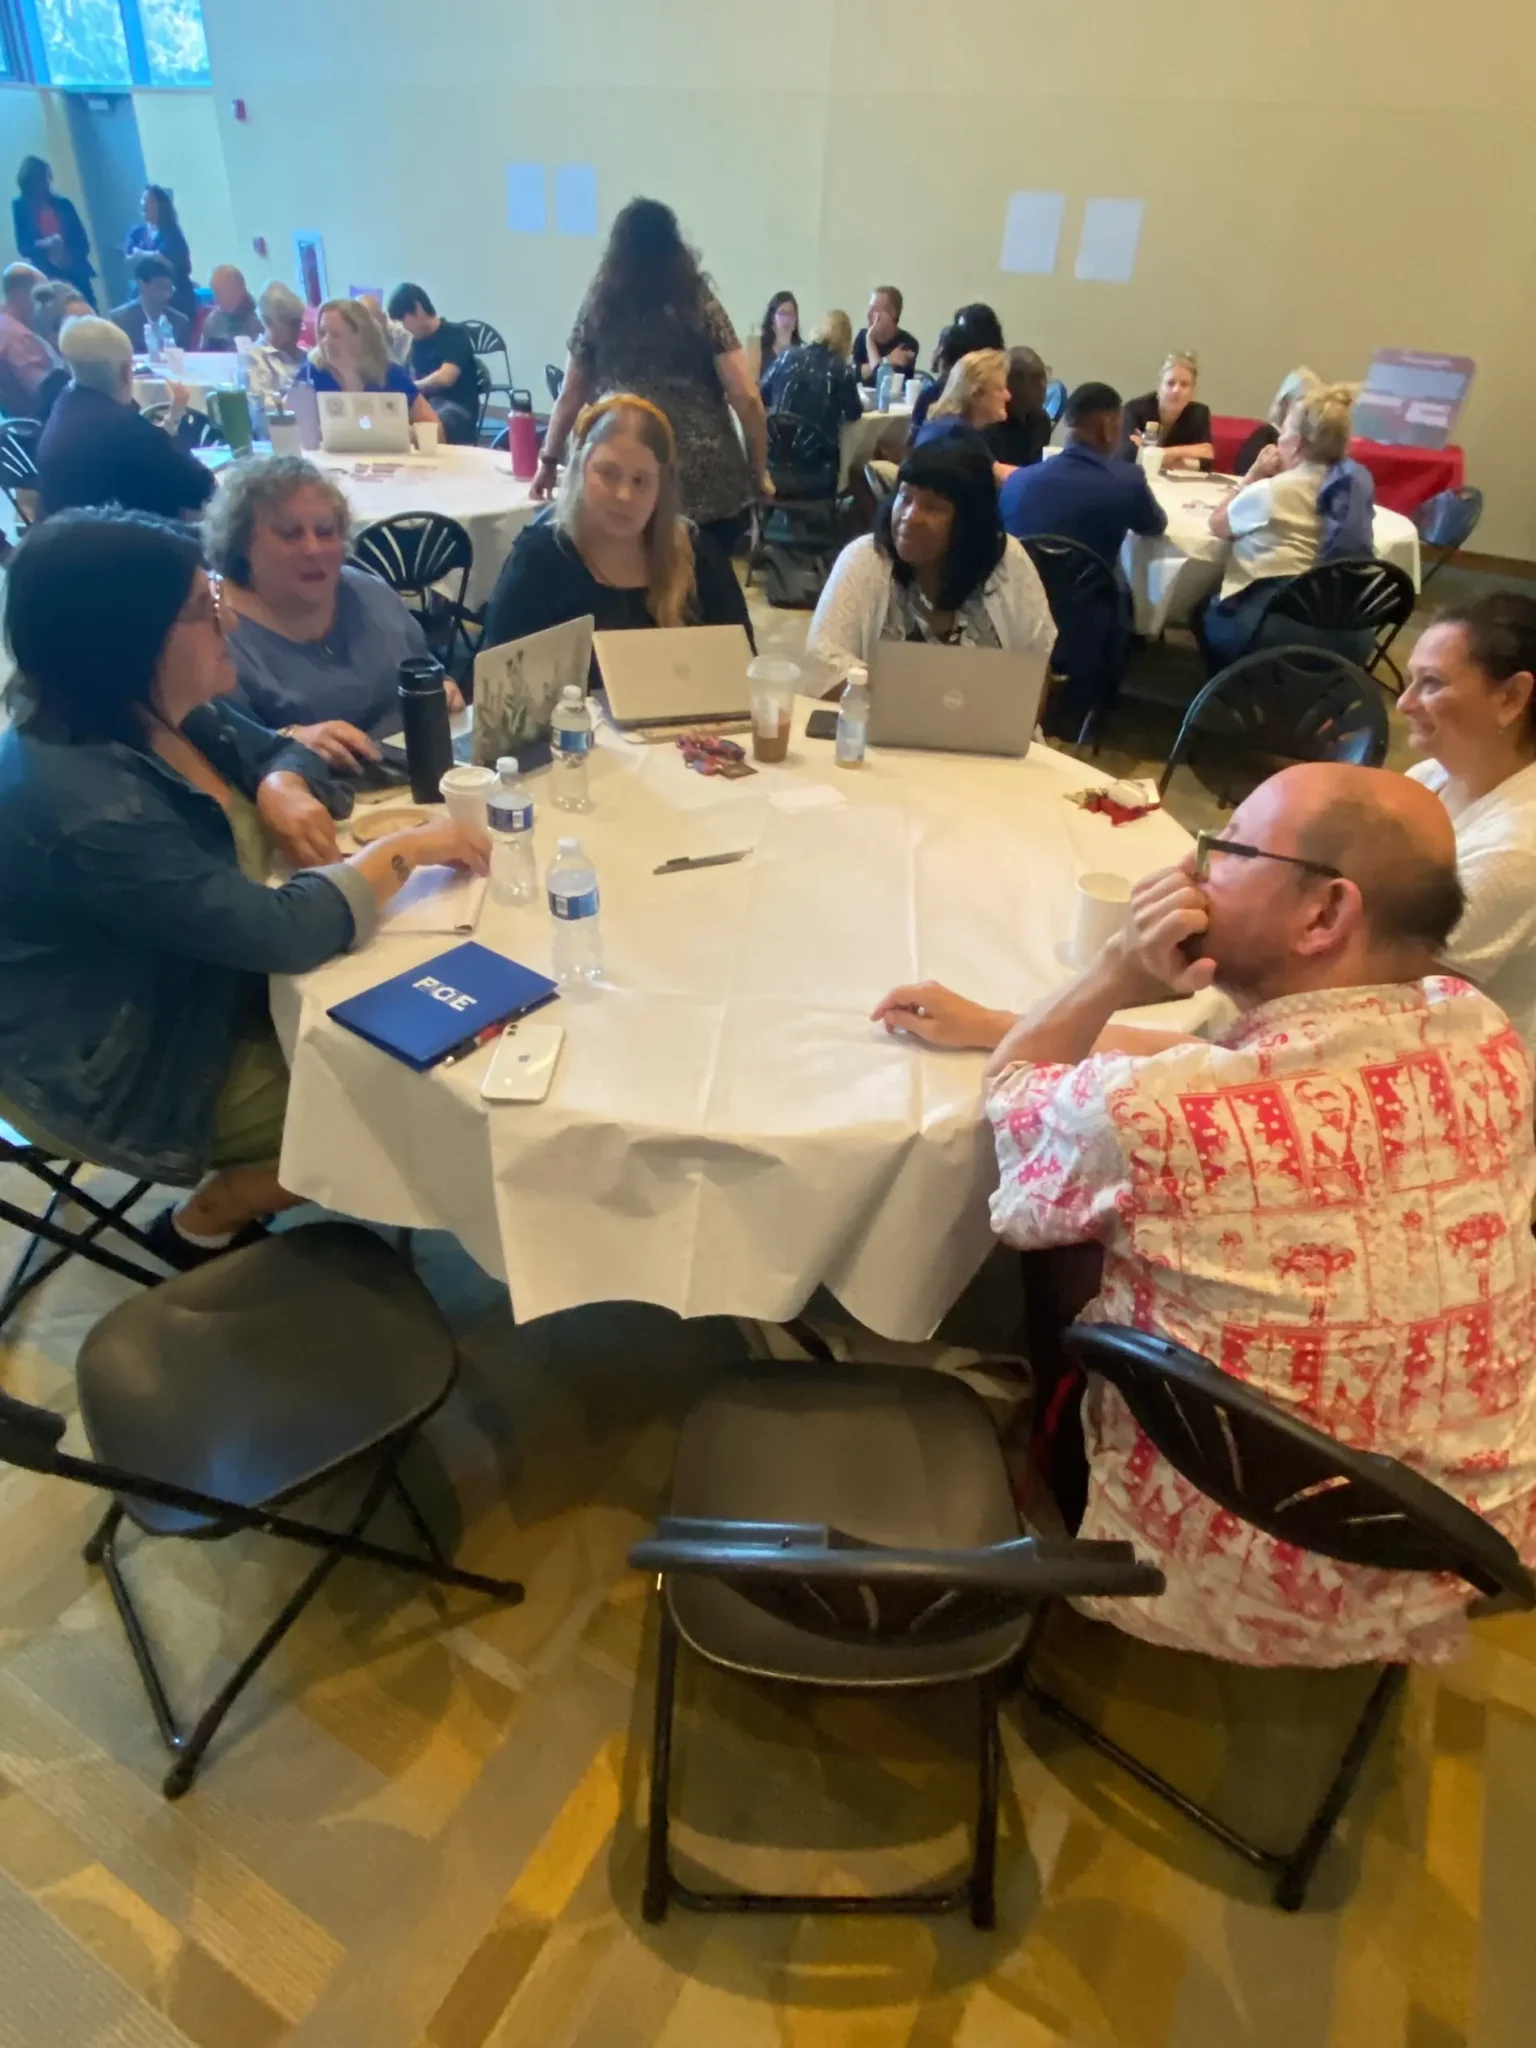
x=136, y=927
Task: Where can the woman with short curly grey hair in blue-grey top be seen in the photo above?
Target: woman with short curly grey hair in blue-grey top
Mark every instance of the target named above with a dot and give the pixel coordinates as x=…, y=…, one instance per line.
x=316, y=642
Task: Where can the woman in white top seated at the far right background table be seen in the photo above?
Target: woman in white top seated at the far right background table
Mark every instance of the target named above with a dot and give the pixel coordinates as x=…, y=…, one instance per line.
x=1275, y=523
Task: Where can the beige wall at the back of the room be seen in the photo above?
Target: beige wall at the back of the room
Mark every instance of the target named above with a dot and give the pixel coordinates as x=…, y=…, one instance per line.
x=1320, y=183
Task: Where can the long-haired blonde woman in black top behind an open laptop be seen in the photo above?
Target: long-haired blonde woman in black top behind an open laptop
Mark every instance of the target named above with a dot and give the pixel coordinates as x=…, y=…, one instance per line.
x=615, y=542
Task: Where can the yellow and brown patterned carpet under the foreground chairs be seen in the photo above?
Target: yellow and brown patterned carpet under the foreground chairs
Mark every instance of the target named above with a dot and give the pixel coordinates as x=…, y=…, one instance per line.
x=423, y=1828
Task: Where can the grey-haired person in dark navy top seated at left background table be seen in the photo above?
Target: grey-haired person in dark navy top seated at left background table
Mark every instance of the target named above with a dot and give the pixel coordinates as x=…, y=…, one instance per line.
x=97, y=447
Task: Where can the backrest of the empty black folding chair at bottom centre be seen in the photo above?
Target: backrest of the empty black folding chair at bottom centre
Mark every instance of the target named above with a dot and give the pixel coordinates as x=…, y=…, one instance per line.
x=837, y=1586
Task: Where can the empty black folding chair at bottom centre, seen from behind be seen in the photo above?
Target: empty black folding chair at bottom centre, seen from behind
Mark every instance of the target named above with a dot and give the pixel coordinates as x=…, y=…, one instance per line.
x=851, y=1529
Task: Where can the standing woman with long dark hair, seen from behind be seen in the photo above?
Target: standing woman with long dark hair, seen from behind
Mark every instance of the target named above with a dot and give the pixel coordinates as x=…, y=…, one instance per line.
x=652, y=325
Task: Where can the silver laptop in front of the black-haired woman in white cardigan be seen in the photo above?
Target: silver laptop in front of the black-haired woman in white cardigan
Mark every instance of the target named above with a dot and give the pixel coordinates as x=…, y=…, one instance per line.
x=955, y=699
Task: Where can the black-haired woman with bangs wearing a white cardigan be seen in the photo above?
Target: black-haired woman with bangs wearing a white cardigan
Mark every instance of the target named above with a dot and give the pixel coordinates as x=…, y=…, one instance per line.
x=937, y=568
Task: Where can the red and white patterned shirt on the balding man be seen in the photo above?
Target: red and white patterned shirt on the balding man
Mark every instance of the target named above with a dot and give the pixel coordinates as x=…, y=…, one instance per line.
x=1330, y=1203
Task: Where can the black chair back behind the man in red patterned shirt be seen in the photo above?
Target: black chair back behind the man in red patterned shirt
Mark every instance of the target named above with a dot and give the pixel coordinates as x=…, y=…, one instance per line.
x=1289, y=1480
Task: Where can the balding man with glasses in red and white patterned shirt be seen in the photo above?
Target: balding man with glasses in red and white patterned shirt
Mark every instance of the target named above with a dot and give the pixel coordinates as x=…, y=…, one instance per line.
x=1328, y=1201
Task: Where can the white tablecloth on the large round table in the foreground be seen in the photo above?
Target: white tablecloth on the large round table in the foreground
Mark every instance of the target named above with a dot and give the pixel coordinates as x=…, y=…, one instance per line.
x=728, y=1129
